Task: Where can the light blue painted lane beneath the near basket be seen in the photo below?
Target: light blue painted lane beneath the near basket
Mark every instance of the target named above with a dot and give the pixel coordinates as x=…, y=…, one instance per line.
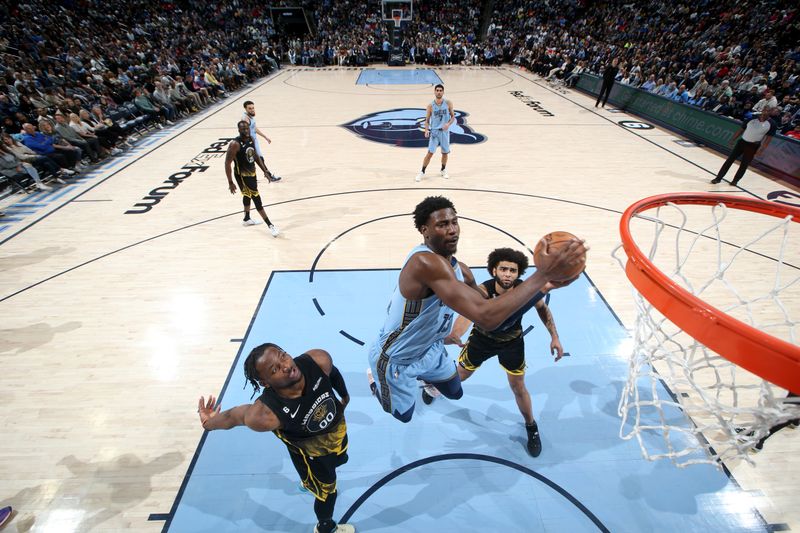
x=244, y=481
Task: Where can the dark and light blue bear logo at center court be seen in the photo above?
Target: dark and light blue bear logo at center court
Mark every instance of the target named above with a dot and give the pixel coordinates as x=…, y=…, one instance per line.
x=404, y=127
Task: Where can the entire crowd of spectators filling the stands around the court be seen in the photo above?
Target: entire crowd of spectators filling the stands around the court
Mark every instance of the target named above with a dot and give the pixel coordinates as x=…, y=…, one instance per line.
x=80, y=78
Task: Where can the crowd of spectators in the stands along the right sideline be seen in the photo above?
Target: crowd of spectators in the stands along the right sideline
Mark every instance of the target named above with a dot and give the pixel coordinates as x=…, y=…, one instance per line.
x=732, y=58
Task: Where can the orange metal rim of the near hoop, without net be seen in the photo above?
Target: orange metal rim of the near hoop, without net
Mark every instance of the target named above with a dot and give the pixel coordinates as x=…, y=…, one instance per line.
x=773, y=359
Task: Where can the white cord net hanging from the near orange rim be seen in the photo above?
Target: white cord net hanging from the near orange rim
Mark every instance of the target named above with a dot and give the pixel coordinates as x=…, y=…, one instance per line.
x=719, y=411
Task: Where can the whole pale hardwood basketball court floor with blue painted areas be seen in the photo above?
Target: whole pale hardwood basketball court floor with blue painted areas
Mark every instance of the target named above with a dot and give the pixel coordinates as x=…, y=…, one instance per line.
x=133, y=291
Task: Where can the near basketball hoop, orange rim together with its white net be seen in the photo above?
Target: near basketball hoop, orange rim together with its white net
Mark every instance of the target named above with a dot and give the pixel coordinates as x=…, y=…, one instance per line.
x=714, y=324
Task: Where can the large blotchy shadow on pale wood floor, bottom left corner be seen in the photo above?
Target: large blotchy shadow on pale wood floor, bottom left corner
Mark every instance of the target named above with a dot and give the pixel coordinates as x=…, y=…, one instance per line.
x=113, y=487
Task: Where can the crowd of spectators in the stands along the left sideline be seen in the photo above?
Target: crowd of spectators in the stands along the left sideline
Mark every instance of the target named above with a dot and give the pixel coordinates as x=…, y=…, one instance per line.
x=80, y=80
